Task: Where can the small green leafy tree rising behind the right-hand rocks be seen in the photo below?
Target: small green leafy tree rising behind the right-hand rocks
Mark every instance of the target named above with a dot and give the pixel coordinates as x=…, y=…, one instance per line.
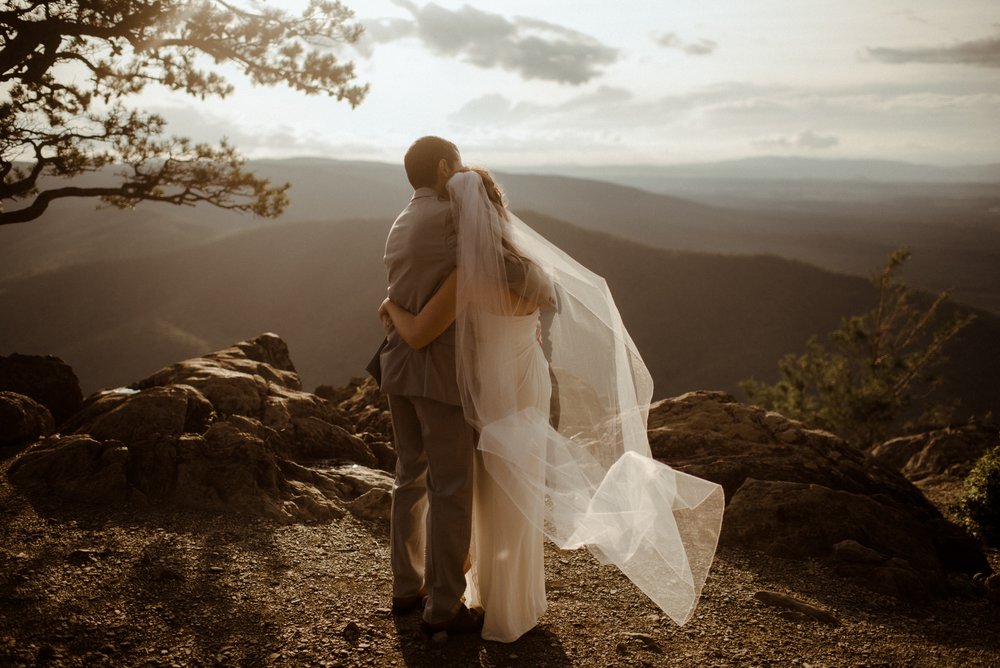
x=872, y=368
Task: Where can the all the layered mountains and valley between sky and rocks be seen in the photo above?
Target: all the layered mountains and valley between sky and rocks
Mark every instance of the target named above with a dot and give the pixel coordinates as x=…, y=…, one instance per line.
x=118, y=294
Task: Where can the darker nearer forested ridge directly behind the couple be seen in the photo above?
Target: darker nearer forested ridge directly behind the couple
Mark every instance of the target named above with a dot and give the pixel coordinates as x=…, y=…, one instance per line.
x=701, y=321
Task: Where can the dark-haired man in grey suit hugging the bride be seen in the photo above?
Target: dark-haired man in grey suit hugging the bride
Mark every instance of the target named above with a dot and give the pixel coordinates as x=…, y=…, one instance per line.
x=432, y=494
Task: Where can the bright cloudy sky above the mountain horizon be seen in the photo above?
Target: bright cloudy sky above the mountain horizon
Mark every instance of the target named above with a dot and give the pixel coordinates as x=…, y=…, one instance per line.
x=528, y=83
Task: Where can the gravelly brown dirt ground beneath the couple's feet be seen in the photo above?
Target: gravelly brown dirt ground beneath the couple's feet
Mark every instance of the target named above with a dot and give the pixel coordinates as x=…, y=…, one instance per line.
x=147, y=587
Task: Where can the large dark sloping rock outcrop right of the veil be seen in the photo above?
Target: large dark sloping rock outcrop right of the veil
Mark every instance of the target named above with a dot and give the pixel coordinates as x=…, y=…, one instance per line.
x=800, y=493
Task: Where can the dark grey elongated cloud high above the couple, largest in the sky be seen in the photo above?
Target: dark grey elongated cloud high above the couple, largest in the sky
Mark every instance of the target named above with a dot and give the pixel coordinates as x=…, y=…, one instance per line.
x=529, y=47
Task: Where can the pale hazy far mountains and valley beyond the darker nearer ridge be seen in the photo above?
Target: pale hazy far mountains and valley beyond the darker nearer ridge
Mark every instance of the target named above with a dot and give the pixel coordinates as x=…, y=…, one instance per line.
x=953, y=229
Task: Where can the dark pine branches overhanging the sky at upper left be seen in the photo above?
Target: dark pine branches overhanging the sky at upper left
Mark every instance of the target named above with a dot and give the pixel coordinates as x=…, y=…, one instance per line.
x=67, y=68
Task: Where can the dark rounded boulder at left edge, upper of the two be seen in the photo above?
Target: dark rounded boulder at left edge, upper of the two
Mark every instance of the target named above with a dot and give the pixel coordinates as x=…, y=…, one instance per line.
x=46, y=379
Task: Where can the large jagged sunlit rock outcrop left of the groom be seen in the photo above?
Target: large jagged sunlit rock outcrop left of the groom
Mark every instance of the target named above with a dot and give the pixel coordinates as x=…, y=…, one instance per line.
x=230, y=431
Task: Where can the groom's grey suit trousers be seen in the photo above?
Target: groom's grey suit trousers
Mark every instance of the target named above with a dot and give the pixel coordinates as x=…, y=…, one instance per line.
x=431, y=502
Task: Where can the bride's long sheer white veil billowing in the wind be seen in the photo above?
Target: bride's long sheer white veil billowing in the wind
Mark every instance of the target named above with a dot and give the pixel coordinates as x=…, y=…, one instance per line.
x=562, y=423
